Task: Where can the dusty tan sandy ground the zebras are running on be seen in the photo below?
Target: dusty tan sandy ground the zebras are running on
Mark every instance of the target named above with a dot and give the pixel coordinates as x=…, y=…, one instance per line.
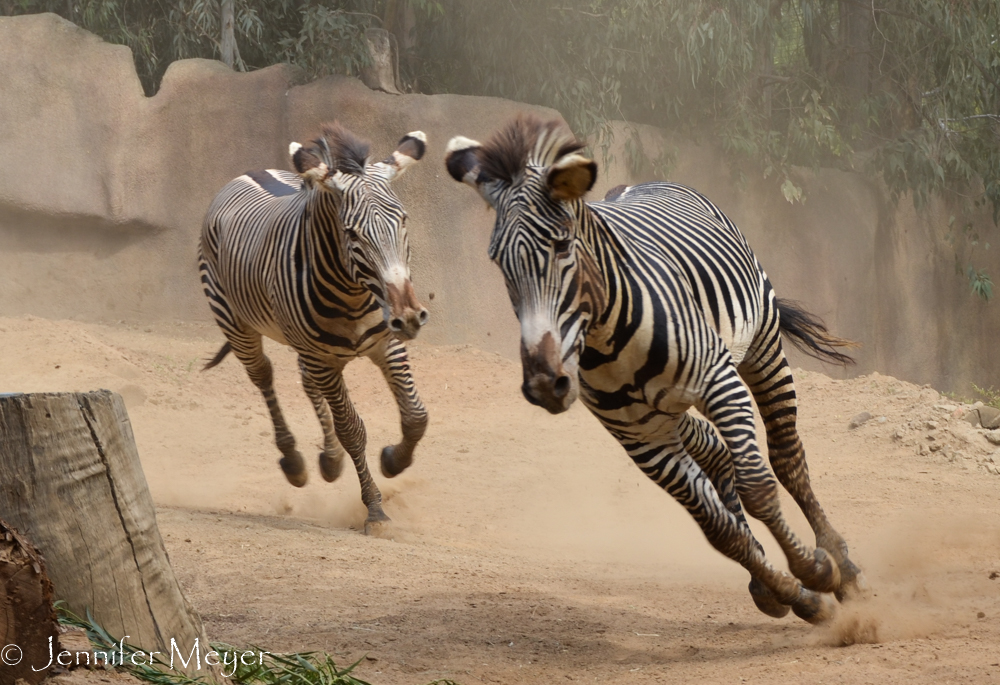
x=527, y=548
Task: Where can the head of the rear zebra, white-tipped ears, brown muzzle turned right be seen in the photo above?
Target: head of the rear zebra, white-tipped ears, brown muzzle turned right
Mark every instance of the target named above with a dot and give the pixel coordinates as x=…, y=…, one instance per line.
x=371, y=223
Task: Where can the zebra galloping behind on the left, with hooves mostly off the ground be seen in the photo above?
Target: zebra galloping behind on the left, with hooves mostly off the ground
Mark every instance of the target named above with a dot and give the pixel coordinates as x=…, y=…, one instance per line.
x=319, y=260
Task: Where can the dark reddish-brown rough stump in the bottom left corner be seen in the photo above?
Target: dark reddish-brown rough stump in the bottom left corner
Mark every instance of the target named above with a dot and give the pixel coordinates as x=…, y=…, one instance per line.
x=27, y=619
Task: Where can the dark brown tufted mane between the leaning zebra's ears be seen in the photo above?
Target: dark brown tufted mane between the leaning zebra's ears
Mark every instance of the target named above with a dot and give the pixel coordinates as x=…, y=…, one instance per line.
x=526, y=141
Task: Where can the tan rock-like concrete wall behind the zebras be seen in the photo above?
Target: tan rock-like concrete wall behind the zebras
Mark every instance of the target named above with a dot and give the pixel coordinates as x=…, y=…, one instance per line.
x=102, y=193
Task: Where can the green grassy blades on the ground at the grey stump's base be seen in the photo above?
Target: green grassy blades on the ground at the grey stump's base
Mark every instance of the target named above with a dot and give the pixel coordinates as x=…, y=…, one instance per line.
x=304, y=668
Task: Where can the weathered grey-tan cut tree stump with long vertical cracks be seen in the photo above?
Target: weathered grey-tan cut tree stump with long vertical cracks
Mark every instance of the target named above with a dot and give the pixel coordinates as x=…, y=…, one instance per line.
x=71, y=481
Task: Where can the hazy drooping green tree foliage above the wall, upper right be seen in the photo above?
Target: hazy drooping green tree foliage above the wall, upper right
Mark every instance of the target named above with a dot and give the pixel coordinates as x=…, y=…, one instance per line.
x=905, y=90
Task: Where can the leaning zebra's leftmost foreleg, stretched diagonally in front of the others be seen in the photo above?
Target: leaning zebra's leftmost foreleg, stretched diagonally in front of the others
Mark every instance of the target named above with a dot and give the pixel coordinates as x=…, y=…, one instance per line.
x=673, y=469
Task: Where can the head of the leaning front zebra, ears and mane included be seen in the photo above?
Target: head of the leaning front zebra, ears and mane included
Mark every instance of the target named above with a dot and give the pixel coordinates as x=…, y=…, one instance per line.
x=532, y=174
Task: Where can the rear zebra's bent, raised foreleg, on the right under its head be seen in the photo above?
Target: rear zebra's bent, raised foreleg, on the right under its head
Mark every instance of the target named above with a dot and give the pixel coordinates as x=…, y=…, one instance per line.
x=392, y=359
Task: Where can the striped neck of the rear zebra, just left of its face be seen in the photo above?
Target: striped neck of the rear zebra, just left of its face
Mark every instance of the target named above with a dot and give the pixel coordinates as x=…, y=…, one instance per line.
x=326, y=256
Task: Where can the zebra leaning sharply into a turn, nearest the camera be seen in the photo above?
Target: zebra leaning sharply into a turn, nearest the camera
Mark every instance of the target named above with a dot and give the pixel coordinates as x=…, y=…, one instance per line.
x=648, y=304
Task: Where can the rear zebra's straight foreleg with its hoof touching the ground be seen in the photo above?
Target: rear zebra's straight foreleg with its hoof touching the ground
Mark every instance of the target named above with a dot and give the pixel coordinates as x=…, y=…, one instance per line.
x=350, y=430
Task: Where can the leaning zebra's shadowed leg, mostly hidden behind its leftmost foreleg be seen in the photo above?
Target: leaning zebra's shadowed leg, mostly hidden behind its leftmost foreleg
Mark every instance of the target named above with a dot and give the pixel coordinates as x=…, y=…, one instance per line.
x=714, y=458
